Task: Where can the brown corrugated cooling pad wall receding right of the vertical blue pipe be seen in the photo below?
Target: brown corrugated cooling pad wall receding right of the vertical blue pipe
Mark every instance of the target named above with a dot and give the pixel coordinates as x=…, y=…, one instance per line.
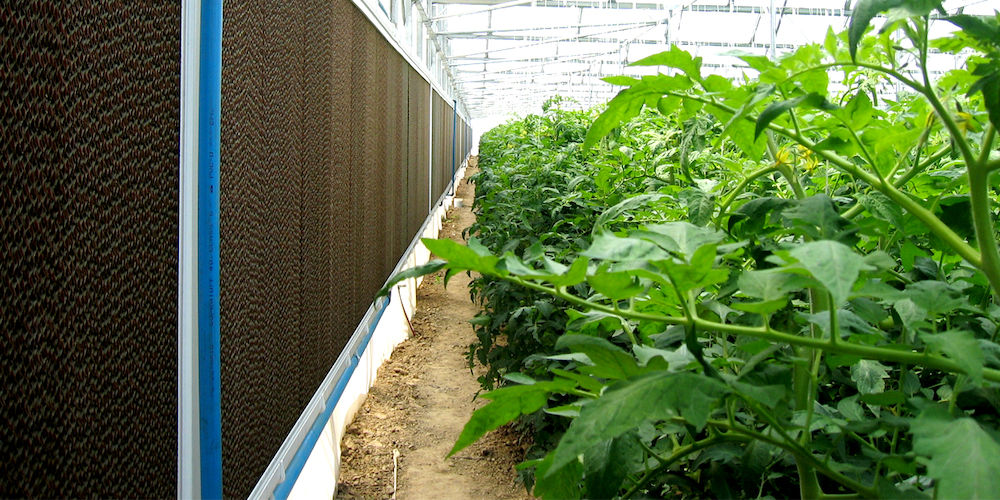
x=324, y=180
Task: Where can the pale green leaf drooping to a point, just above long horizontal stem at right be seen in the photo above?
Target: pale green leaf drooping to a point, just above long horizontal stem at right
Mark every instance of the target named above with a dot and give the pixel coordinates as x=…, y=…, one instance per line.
x=833, y=264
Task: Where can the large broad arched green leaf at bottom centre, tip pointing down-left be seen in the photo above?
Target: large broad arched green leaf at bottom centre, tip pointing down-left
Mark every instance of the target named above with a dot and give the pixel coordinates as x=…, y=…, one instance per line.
x=626, y=405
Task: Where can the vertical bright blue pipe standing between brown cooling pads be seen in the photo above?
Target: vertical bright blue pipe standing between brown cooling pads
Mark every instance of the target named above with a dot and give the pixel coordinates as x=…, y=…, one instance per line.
x=209, y=104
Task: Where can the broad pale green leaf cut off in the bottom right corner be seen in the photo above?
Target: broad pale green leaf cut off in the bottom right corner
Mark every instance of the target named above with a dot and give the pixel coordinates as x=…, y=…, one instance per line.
x=964, y=458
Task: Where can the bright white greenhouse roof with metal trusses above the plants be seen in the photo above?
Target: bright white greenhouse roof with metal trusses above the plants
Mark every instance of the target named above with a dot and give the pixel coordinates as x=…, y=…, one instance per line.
x=506, y=57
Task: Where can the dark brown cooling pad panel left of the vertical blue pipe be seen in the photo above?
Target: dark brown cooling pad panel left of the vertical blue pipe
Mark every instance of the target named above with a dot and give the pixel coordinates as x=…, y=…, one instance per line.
x=89, y=111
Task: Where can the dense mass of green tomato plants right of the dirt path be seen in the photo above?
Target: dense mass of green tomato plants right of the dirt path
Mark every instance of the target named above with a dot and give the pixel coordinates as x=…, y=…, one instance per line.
x=755, y=288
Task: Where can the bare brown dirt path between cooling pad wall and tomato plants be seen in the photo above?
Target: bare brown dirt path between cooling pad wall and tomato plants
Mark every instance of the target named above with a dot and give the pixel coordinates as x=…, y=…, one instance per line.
x=422, y=398
